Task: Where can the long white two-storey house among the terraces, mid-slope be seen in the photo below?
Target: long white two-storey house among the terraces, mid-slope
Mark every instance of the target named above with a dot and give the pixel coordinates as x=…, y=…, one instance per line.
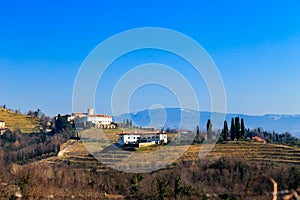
x=142, y=138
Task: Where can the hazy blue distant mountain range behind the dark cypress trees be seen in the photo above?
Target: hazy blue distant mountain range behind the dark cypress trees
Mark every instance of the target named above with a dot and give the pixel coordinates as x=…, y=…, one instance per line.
x=173, y=116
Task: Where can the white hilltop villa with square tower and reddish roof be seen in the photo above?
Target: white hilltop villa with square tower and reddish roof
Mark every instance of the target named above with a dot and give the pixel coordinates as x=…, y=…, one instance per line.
x=100, y=121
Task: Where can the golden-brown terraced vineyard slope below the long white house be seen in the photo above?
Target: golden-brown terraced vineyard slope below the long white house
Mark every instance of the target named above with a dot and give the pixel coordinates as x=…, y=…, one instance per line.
x=115, y=157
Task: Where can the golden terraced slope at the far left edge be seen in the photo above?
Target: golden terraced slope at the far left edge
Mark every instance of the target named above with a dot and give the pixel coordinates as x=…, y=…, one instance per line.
x=25, y=123
